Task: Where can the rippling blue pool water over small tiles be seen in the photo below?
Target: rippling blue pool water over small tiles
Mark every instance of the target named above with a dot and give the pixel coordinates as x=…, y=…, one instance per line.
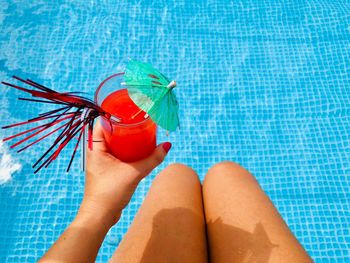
x=262, y=83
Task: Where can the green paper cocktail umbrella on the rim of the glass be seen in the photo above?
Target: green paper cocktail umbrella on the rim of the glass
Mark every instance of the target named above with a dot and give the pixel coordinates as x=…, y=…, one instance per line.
x=152, y=92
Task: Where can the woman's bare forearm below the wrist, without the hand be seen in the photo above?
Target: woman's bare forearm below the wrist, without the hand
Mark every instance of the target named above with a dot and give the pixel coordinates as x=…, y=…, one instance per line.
x=80, y=242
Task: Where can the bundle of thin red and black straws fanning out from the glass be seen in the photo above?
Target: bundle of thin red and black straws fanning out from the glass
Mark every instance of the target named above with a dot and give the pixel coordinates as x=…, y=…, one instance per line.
x=74, y=118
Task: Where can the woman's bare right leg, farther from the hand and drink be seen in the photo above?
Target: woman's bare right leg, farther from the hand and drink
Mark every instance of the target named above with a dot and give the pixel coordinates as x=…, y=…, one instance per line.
x=242, y=223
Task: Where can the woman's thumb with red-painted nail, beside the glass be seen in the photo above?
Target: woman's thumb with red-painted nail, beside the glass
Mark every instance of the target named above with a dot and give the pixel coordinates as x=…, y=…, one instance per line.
x=156, y=158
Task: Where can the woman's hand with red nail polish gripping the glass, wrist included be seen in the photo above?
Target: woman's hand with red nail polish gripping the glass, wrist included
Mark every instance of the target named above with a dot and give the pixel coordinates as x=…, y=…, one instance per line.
x=110, y=183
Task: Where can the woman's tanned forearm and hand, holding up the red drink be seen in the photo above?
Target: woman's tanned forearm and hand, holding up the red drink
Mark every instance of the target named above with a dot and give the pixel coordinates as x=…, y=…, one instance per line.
x=109, y=186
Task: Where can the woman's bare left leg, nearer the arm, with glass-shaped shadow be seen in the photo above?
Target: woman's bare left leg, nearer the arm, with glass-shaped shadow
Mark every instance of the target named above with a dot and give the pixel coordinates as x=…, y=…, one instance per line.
x=170, y=225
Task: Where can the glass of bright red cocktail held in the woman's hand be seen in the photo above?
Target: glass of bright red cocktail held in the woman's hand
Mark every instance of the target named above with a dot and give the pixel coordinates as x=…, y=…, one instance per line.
x=134, y=136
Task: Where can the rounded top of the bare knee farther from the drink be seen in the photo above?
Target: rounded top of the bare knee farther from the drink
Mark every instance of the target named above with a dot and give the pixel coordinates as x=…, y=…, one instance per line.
x=228, y=170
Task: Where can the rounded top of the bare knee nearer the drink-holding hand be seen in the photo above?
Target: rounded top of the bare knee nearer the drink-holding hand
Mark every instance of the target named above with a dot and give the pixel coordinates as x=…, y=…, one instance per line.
x=180, y=174
